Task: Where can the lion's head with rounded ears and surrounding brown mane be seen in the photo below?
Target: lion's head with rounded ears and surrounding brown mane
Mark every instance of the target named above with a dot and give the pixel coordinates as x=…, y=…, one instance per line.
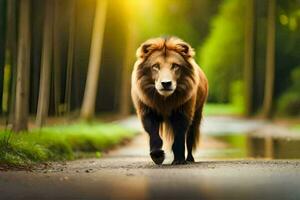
x=164, y=68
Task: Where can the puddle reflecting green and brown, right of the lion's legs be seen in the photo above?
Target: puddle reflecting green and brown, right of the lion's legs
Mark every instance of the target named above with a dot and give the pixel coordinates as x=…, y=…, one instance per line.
x=241, y=146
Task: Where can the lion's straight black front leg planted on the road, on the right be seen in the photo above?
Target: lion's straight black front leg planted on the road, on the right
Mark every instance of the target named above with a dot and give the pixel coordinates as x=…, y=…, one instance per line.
x=180, y=125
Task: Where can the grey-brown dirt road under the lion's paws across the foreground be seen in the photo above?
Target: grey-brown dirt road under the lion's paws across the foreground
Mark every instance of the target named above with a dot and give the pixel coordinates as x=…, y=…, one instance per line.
x=128, y=173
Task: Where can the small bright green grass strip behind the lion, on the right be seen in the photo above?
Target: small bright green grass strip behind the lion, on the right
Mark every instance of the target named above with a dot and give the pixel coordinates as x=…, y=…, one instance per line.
x=222, y=109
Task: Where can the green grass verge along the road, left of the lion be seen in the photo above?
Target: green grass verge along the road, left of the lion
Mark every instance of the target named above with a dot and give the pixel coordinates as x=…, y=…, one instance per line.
x=63, y=142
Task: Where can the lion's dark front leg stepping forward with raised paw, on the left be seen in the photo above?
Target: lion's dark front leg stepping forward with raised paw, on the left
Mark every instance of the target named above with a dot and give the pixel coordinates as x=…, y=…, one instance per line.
x=151, y=122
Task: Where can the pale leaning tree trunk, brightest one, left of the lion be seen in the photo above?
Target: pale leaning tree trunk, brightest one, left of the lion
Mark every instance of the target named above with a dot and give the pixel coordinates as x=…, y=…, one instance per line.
x=88, y=106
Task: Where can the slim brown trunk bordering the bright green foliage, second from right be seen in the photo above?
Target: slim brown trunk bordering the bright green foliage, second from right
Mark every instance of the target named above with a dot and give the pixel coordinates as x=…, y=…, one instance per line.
x=249, y=56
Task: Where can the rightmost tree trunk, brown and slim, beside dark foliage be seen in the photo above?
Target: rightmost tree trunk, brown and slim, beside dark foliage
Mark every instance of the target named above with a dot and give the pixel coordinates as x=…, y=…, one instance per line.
x=270, y=61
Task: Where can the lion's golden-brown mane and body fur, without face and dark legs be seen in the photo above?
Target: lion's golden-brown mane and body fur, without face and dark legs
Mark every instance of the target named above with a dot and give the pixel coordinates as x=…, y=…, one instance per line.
x=192, y=85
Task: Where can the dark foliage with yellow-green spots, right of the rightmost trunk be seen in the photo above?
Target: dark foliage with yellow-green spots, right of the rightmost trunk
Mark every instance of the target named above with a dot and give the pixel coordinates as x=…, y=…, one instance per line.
x=287, y=44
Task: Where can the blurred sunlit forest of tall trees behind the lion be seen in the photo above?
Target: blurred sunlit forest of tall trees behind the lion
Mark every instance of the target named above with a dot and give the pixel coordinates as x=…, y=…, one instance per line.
x=70, y=61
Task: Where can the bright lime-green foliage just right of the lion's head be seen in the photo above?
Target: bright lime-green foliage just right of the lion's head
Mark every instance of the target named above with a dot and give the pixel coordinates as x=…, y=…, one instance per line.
x=221, y=56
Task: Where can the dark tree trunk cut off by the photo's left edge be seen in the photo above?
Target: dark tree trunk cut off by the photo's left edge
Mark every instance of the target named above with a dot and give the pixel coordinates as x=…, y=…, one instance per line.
x=2, y=48
